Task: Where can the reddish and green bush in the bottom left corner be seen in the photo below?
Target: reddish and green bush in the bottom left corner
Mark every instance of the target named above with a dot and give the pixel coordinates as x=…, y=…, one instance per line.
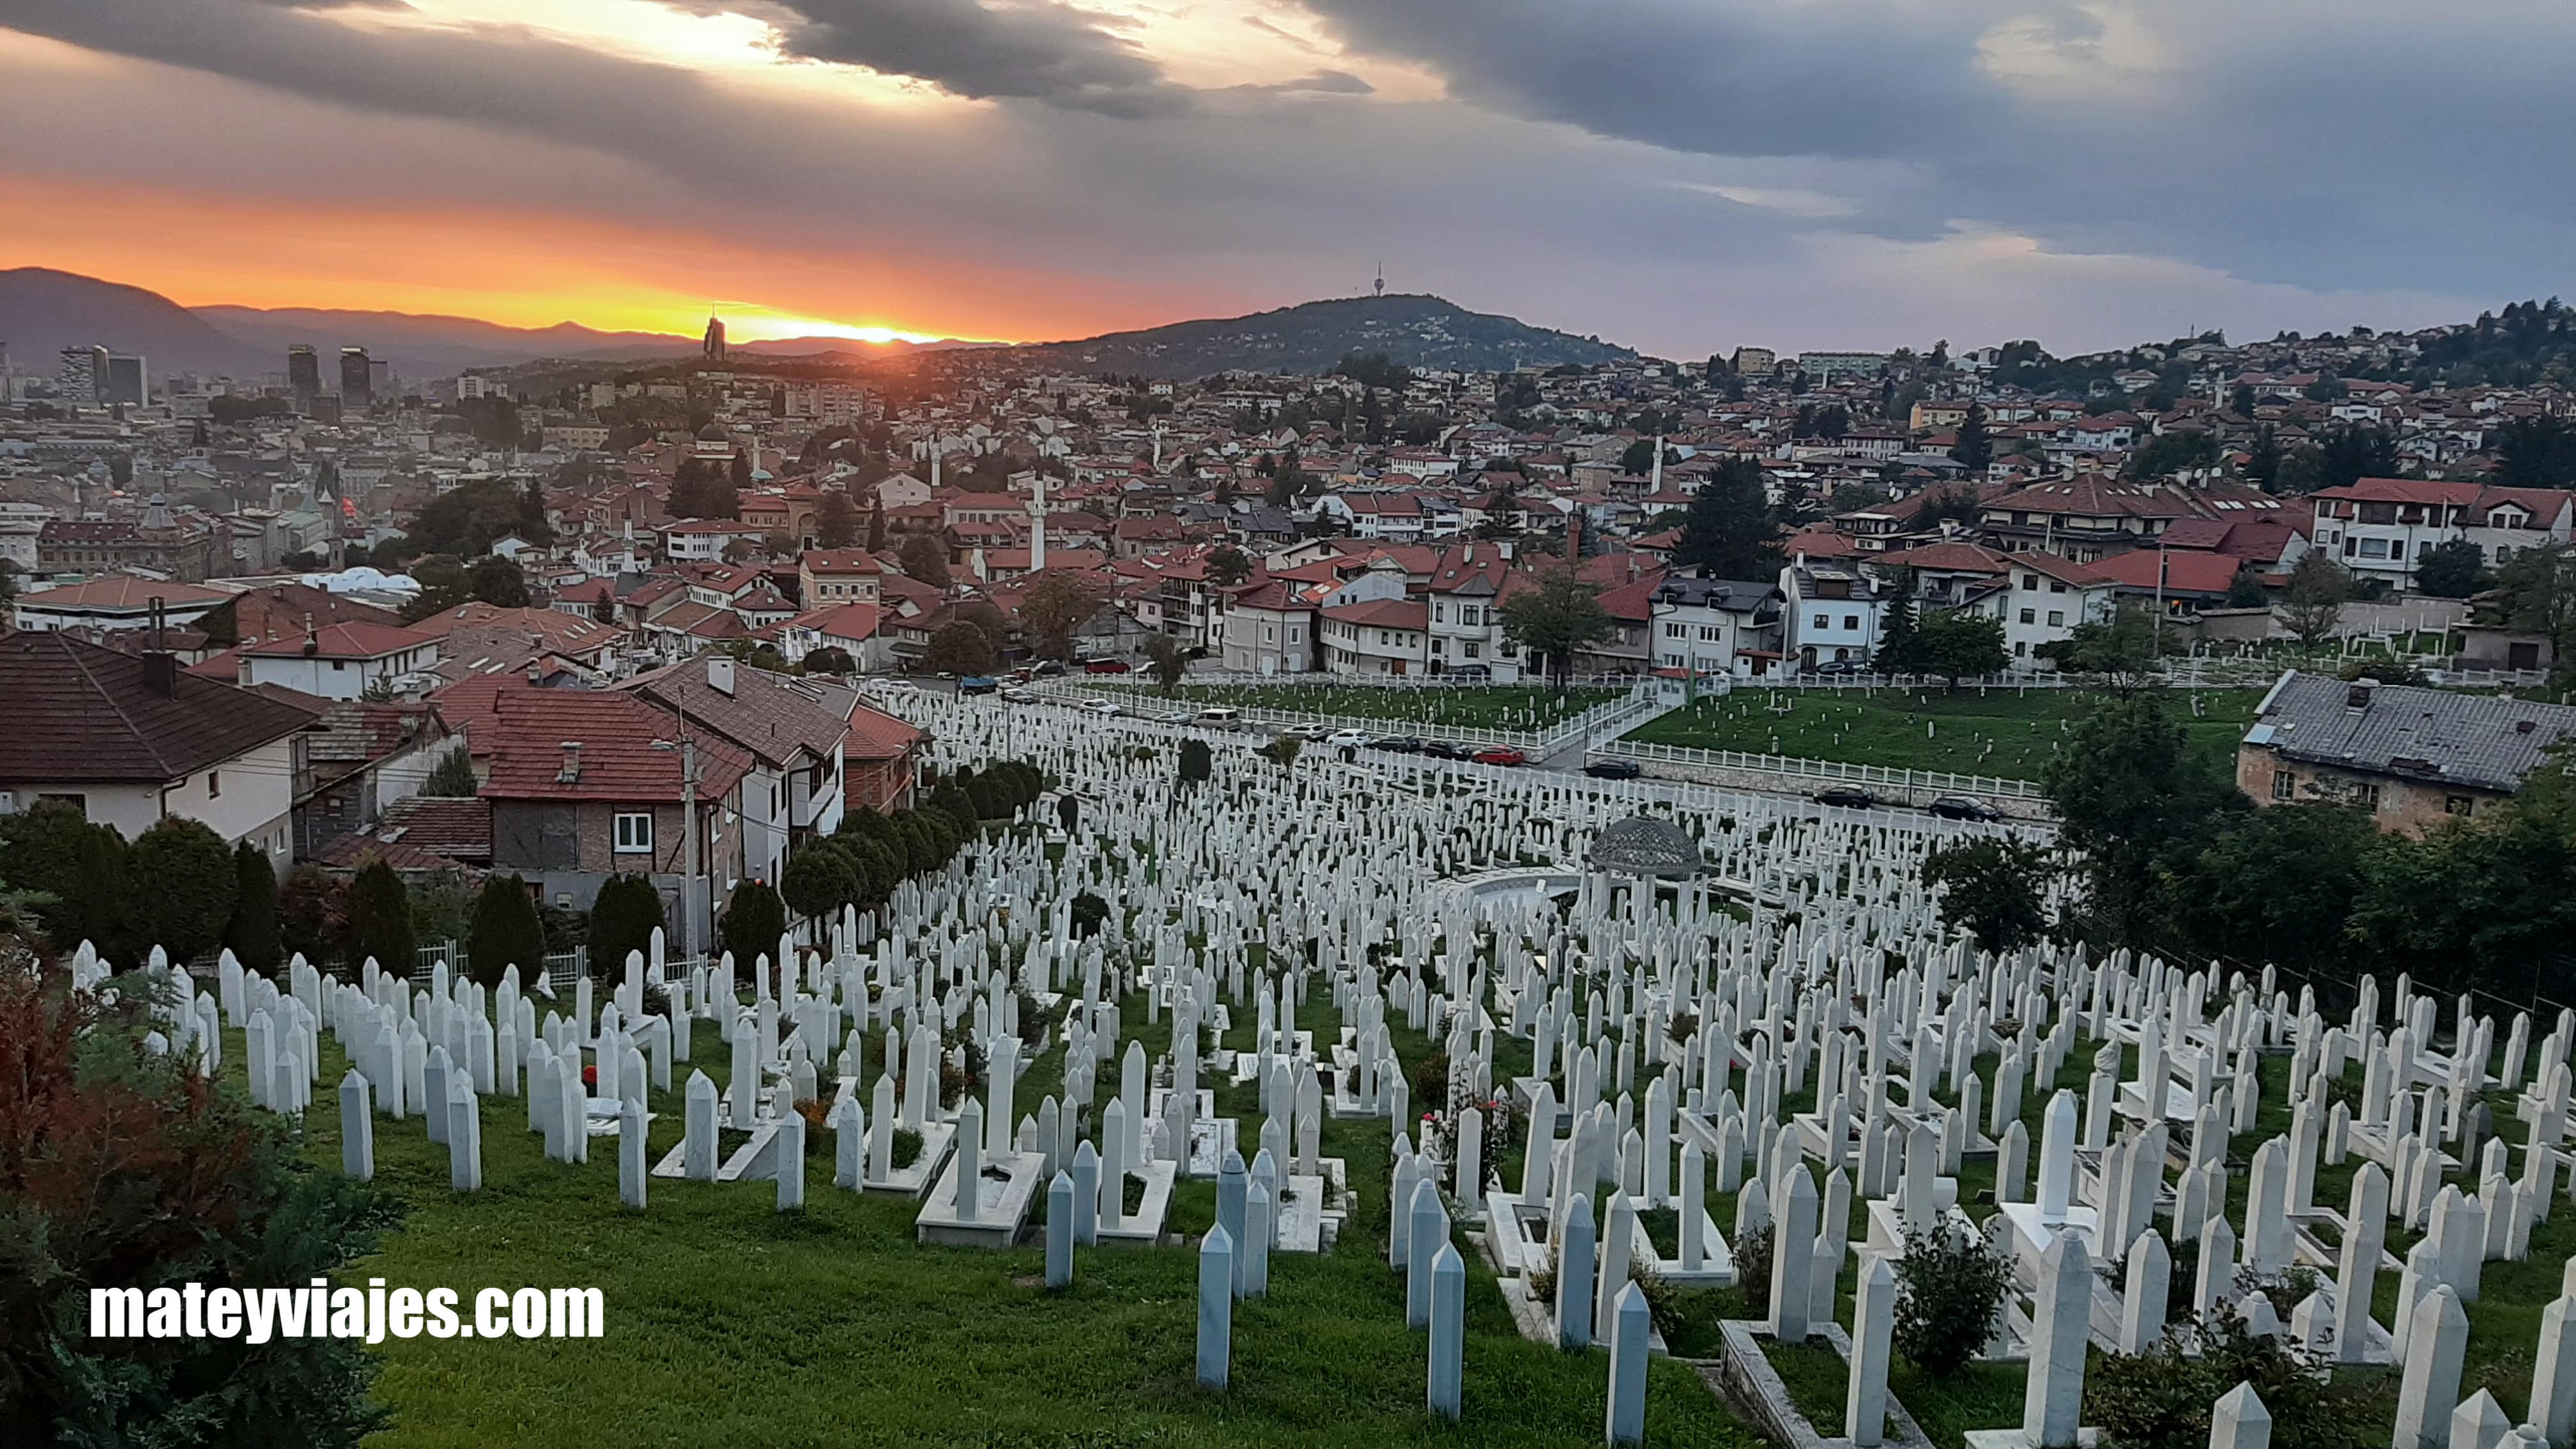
x=130, y=1172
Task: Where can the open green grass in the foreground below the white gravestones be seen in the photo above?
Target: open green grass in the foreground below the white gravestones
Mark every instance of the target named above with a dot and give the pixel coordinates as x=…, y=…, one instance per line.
x=733, y=1324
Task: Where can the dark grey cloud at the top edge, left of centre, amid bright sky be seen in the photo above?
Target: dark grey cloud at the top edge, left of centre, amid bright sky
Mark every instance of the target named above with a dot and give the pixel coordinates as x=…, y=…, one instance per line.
x=1037, y=50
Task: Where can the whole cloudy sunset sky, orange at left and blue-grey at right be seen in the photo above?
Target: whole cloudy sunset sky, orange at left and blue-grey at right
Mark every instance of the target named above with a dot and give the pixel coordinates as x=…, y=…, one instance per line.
x=1673, y=174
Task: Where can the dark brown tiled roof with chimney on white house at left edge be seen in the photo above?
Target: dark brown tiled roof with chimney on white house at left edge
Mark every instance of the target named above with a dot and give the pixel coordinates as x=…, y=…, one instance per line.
x=84, y=713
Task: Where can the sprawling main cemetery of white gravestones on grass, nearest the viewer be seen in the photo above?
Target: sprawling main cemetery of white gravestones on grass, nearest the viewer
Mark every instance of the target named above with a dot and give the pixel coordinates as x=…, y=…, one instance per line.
x=1400, y=1102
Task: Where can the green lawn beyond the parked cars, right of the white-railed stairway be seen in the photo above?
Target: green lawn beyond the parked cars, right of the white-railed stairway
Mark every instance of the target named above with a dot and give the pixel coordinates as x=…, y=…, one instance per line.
x=2005, y=734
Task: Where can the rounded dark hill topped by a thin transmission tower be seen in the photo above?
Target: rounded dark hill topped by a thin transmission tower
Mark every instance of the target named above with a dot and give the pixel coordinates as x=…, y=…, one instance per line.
x=1312, y=336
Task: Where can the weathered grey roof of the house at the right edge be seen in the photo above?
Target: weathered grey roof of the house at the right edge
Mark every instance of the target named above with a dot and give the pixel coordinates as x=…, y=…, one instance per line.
x=2423, y=734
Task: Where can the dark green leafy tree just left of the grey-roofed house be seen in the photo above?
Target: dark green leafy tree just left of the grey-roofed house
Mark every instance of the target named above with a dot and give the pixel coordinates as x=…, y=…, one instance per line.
x=2126, y=793
